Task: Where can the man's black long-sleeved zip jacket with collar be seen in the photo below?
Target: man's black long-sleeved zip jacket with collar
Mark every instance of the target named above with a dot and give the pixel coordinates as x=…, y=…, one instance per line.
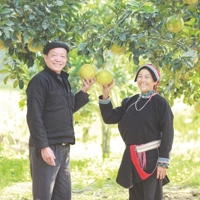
x=50, y=107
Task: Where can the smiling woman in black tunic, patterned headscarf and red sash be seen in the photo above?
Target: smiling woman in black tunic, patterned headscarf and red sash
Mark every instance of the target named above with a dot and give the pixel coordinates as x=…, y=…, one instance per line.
x=145, y=122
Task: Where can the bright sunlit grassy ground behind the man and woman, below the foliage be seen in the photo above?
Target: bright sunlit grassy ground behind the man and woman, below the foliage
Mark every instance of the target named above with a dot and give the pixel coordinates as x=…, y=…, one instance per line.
x=93, y=178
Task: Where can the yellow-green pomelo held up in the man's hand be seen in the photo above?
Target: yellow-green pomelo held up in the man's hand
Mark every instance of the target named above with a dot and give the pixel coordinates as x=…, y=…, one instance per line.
x=87, y=71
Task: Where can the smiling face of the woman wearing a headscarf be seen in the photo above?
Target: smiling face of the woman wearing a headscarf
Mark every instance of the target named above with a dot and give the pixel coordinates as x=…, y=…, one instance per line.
x=145, y=81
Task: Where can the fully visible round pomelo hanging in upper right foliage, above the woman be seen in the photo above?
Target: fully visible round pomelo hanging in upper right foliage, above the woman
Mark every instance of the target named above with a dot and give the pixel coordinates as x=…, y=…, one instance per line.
x=175, y=23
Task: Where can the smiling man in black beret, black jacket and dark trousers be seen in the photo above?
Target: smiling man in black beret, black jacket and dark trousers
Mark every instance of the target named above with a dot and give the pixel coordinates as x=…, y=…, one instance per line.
x=51, y=104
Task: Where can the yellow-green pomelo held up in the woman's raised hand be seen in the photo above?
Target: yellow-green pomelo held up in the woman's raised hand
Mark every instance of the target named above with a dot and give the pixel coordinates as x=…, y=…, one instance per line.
x=104, y=77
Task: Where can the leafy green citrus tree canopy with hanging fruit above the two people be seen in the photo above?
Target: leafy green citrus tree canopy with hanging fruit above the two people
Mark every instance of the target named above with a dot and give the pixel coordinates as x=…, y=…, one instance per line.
x=119, y=35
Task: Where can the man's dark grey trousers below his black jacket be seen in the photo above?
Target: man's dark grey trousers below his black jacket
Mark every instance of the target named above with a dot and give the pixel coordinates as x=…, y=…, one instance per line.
x=51, y=182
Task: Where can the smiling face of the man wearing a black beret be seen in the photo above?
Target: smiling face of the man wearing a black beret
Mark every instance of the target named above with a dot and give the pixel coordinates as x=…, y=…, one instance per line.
x=56, y=59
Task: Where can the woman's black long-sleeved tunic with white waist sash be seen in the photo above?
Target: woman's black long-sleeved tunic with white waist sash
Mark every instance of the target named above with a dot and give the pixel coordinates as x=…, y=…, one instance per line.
x=154, y=121
